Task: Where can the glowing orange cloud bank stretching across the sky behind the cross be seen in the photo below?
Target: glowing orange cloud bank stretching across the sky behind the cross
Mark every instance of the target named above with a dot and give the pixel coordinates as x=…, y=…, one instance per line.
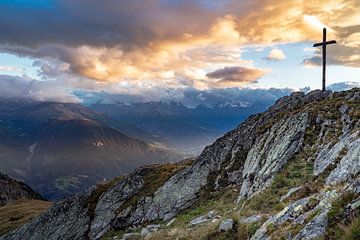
x=180, y=46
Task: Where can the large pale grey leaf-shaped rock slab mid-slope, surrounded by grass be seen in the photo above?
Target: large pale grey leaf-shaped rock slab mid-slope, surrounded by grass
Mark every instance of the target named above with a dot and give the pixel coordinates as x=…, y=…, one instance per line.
x=271, y=152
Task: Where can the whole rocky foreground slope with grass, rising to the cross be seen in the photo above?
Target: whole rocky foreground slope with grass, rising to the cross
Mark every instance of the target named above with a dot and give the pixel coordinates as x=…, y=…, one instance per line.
x=289, y=168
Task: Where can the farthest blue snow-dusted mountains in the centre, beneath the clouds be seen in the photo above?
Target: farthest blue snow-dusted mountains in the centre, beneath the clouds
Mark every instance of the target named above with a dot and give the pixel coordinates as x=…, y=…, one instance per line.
x=188, y=129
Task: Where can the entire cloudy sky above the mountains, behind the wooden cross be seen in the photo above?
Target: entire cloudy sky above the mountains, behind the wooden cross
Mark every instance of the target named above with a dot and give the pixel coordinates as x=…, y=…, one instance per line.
x=50, y=49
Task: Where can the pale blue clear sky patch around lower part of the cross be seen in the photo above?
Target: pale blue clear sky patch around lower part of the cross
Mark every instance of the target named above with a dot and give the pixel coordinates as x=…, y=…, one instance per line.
x=292, y=73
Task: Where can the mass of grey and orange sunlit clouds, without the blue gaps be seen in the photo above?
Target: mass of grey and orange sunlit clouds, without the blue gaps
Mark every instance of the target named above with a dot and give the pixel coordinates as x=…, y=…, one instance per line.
x=174, y=44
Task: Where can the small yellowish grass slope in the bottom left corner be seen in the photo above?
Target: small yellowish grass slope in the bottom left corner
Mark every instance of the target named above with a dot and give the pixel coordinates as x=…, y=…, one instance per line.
x=16, y=214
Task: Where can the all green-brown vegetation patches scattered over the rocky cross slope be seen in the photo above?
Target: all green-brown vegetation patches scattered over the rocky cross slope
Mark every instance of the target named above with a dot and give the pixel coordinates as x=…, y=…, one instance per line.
x=298, y=171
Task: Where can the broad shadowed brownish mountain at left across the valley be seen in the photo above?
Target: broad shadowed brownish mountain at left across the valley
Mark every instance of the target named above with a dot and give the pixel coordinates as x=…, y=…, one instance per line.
x=60, y=149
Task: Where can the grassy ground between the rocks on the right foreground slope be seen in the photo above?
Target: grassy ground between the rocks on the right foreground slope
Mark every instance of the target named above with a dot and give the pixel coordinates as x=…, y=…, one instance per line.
x=297, y=172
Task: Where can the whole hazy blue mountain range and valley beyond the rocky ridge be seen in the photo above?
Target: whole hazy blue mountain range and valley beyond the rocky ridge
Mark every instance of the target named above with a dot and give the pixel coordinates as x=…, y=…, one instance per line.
x=63, y=148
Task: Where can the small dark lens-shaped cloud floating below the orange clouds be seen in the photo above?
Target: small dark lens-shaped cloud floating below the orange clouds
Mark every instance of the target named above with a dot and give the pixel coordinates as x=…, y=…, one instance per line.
x=237, y=74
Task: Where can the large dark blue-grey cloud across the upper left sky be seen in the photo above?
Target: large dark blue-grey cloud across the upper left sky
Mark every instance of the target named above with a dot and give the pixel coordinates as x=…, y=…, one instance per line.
x=99, y=23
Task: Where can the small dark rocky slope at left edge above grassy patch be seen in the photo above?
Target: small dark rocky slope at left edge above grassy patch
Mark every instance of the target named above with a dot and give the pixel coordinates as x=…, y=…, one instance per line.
x=11, y=190
